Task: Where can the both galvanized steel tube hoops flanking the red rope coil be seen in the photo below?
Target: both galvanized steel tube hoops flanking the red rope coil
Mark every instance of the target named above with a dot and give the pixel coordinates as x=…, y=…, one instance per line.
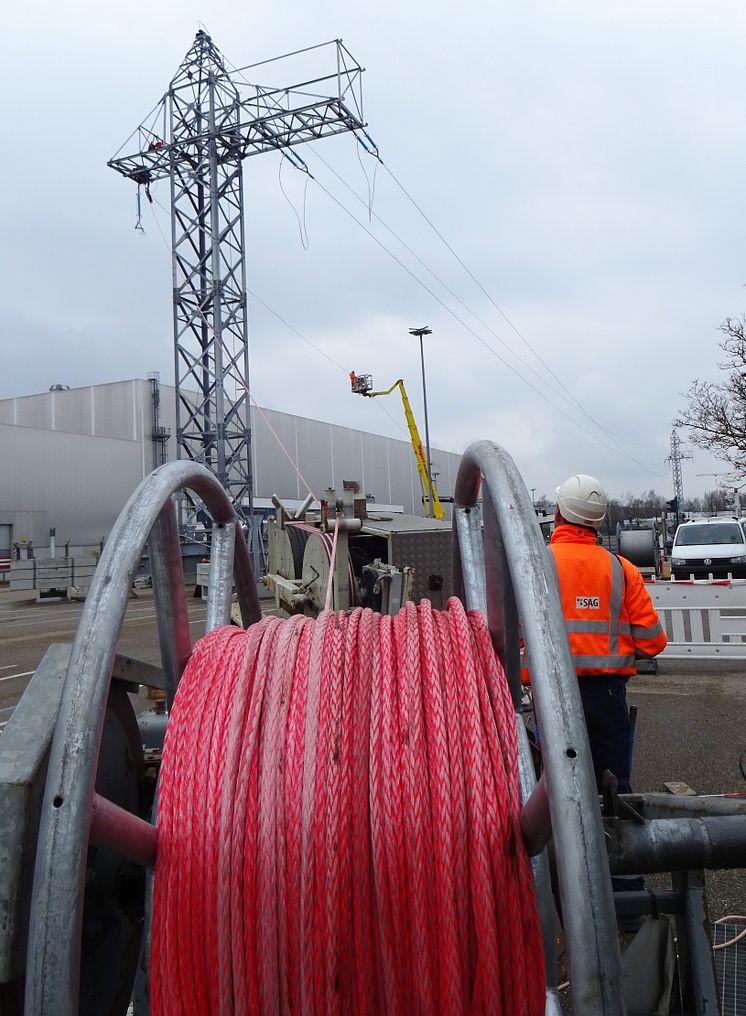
x=513, y=547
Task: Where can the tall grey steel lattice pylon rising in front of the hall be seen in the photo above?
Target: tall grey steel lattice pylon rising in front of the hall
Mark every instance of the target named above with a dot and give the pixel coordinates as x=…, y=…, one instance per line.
x=199, y=136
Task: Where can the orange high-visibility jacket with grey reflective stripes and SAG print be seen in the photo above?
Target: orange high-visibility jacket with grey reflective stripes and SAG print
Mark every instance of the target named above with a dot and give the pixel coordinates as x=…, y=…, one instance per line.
x=609, y=615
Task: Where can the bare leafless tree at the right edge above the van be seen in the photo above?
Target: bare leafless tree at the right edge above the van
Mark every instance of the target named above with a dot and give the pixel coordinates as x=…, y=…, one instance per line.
x=716, y=414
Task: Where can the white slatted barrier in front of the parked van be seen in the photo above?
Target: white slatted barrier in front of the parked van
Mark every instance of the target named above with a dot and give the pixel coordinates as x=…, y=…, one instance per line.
x=703, y=619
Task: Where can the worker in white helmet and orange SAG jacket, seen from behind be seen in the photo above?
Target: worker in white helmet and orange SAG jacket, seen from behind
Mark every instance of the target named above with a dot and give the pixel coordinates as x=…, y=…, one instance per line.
x=610, y=618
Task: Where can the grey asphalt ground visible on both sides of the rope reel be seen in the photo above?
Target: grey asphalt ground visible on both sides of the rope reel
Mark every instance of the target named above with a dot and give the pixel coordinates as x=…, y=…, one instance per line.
x=691, y=723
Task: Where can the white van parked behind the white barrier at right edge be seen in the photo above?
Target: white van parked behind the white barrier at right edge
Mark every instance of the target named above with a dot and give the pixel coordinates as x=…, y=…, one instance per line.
x=710, y=547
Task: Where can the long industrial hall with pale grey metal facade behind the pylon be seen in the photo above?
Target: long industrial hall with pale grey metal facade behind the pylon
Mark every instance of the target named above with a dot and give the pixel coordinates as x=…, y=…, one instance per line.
x=71, y=459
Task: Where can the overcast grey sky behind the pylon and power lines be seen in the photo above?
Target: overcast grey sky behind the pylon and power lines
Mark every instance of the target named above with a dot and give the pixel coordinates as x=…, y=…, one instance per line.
x=585, y=160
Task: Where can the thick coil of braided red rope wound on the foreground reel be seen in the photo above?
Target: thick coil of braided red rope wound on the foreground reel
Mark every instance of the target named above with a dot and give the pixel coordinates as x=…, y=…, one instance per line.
x=339, y=824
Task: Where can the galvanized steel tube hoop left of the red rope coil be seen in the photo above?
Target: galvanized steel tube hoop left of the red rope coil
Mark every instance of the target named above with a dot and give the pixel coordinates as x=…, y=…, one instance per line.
x=53, y=963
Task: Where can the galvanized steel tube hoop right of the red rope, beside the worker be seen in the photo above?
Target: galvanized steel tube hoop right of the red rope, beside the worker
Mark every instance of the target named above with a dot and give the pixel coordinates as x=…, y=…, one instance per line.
x=512, y=574
